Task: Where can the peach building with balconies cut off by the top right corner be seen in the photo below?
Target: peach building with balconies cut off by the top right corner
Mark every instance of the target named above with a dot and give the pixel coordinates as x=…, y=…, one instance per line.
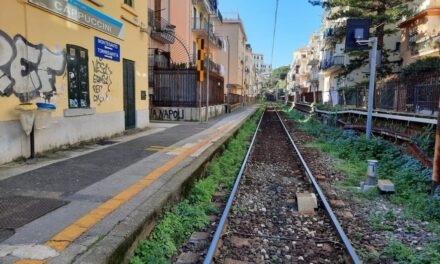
x=421, y=32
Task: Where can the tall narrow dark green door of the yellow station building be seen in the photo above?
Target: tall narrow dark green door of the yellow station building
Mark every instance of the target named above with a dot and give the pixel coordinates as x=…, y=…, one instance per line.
x=129, y=94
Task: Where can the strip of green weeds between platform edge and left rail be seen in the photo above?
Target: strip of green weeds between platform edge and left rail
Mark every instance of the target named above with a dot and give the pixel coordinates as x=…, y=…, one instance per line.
x=191, y=215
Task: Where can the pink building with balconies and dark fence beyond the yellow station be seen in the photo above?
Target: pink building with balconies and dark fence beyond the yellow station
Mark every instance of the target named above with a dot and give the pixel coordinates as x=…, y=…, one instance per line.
x=175, y=80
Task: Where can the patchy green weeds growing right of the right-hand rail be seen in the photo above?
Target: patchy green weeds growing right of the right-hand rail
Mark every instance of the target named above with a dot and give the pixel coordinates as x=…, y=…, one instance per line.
x=411, y=178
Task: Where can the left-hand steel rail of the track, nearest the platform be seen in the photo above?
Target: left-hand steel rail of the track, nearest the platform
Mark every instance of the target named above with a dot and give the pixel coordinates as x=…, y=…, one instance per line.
x=219, y=230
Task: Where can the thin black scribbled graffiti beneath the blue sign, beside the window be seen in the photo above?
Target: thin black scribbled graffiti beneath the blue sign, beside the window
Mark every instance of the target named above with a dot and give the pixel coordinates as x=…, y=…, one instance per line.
x=101, y=81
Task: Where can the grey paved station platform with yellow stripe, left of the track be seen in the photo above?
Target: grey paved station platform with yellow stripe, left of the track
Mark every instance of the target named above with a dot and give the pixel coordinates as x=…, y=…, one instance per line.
x=75, y=203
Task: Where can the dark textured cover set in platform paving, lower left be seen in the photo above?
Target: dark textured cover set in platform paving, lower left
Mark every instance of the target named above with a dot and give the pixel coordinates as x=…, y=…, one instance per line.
x=16, y=211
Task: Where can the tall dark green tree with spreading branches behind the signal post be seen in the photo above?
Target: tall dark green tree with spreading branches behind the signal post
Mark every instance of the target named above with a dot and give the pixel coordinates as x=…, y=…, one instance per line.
x=384, y=16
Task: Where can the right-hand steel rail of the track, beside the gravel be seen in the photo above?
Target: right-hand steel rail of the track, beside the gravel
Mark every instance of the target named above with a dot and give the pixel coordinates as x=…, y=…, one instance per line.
x=329, y=210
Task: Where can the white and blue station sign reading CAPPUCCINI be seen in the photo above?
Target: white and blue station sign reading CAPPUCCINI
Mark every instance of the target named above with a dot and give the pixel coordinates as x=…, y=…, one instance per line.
x=79, y=12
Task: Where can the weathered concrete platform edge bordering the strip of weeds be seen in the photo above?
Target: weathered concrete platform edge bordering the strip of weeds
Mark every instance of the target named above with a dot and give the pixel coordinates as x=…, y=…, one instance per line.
x=119, y=244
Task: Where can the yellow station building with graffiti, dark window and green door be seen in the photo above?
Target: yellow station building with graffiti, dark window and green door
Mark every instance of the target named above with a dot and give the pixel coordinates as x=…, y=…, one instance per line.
x=88, y=59
